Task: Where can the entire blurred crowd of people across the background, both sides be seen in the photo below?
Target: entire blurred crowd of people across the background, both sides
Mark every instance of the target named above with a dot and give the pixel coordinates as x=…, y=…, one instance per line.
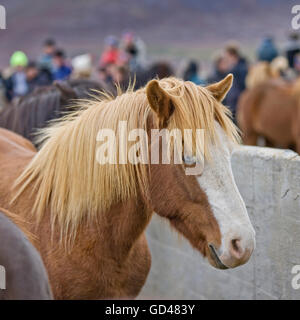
x=126, y=56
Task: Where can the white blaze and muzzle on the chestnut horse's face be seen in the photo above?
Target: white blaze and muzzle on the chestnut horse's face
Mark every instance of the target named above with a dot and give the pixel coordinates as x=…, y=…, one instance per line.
x=217, y=181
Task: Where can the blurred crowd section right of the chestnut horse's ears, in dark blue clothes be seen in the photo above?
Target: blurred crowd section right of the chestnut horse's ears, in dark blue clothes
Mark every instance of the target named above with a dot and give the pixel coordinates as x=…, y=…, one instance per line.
x=231, y=60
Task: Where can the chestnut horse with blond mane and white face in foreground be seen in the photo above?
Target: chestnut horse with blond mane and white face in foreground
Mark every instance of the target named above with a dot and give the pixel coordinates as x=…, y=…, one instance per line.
x=89, y=218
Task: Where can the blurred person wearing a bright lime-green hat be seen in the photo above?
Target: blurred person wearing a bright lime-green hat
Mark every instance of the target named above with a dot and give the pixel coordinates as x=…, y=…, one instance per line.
x=16, y=84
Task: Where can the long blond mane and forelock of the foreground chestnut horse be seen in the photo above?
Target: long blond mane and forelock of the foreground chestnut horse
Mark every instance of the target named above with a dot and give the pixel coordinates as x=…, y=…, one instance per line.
x=67, y=179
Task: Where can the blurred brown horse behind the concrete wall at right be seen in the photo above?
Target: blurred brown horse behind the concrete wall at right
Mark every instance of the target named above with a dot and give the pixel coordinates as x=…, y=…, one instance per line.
x=271, y=110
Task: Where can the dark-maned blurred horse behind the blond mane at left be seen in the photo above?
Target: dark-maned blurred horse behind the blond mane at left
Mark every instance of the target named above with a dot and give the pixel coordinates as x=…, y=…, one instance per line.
x=35, y=110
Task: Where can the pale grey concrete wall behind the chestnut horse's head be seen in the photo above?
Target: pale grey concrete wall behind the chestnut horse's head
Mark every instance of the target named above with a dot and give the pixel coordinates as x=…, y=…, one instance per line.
x=269, y=181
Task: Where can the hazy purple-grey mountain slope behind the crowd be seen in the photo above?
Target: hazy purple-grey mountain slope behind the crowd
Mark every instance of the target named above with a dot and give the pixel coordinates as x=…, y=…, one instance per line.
x=81, y=25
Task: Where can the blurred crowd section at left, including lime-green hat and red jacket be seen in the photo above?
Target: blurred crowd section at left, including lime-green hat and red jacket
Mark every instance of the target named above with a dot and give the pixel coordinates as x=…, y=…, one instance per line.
x=119, y=57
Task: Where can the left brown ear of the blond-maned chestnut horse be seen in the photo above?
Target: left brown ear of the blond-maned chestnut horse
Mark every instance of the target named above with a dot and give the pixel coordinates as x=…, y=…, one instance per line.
x=160, y=102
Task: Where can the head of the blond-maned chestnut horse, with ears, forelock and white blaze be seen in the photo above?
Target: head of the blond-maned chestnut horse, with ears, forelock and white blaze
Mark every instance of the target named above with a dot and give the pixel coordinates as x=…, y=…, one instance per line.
x=206, y=208
